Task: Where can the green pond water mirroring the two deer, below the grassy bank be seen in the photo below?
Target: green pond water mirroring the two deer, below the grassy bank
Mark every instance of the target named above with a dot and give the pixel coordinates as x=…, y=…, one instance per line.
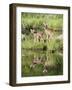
x=41, y=63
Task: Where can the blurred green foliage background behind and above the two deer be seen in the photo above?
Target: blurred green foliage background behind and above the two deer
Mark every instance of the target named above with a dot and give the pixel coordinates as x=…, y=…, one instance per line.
x=29, y=20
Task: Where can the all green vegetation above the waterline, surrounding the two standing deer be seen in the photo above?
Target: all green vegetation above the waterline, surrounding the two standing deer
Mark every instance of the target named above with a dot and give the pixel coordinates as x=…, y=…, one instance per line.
x=36, y=20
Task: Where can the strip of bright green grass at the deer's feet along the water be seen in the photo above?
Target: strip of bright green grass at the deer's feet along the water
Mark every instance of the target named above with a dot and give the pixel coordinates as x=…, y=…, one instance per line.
x=51, y=45
